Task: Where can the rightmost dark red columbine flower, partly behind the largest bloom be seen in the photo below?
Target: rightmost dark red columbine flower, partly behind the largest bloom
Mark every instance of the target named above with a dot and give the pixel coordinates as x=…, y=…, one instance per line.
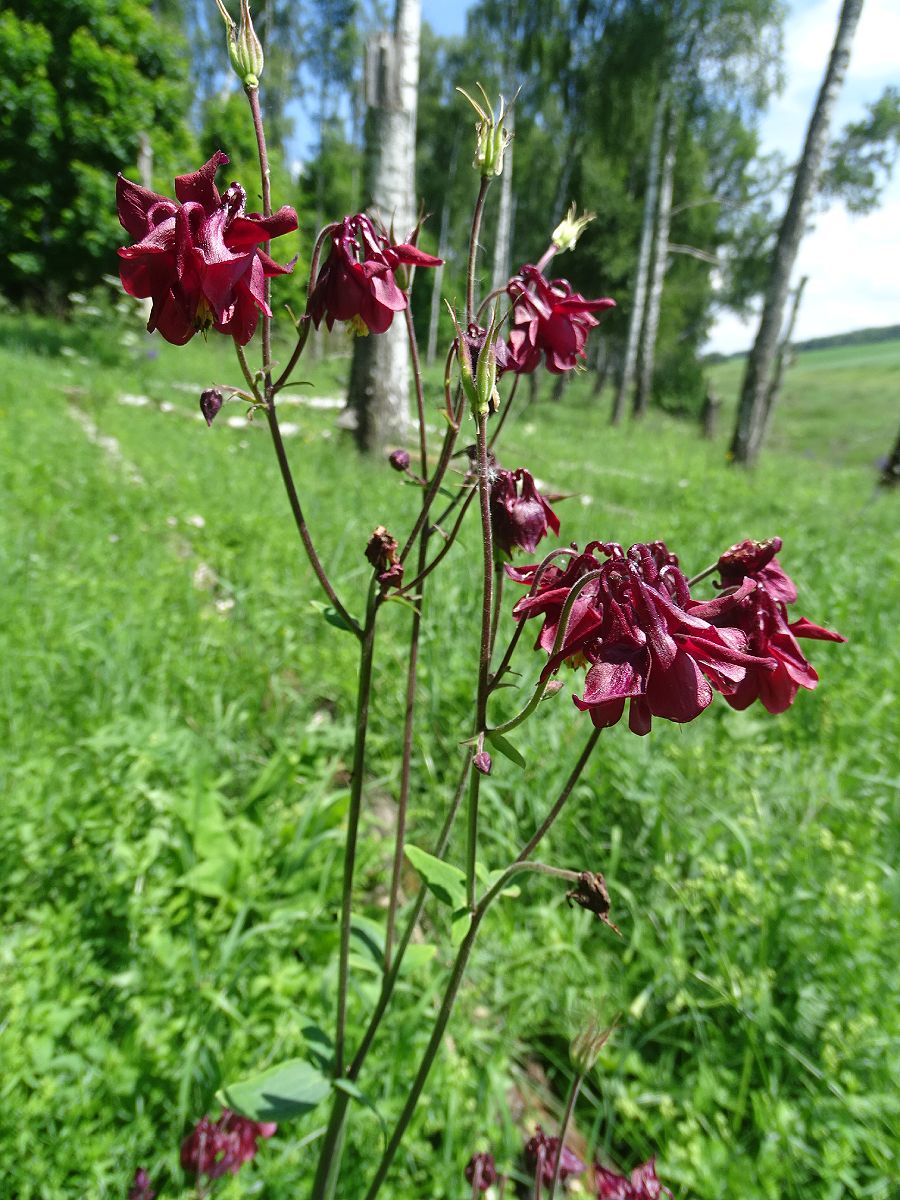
x=763, y=617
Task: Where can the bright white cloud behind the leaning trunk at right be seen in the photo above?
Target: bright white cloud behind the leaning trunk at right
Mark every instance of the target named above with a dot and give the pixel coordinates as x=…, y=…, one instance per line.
x=854, y=263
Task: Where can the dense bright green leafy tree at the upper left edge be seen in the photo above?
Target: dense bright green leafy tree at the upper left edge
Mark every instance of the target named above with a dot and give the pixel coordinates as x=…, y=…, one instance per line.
x=80, y=85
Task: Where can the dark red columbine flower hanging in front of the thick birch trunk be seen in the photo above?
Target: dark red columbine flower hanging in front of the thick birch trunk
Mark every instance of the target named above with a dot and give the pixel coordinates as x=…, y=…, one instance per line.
x=357, y=281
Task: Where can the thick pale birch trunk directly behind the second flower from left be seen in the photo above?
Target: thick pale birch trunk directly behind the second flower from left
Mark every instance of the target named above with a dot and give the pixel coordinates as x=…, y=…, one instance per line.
x=380, y=375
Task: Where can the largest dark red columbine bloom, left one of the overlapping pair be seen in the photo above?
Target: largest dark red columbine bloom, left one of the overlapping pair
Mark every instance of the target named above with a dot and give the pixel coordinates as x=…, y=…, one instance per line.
x=644, y=638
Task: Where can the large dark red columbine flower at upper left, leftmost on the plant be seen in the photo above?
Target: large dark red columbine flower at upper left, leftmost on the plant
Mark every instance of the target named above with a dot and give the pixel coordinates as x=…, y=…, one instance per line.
x=199, y=259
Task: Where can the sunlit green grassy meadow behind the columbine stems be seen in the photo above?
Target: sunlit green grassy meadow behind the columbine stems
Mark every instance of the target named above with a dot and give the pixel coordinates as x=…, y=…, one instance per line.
x=175, y=773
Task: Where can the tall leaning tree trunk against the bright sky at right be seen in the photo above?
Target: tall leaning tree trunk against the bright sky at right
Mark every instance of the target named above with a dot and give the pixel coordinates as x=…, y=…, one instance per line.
x=752, y=409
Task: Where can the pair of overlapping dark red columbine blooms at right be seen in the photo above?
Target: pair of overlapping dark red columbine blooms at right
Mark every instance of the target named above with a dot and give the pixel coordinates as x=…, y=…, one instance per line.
x=647, y=643
